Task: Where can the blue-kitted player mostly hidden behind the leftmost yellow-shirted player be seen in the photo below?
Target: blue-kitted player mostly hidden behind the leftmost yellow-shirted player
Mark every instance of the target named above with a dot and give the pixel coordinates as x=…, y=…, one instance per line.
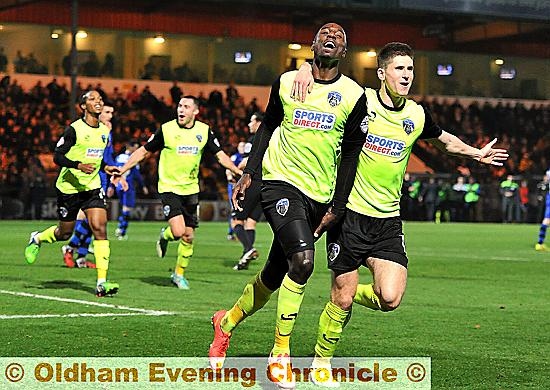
x=82, y=234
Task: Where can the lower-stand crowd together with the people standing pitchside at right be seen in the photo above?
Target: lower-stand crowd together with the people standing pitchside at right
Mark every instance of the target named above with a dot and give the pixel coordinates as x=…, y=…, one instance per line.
x=31, y=122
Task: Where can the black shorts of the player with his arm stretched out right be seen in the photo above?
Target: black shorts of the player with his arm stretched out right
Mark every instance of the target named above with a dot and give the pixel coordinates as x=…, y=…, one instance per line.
x=359, y=237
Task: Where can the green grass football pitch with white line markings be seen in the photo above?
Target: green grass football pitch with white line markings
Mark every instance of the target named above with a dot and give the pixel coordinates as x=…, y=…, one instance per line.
x=477, y=303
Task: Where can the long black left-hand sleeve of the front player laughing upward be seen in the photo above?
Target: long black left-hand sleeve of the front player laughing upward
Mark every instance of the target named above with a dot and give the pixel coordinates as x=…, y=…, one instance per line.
x=273, y=117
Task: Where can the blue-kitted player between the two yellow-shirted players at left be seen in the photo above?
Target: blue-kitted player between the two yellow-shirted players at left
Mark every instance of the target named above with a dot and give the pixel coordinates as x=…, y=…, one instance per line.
x=127, y=196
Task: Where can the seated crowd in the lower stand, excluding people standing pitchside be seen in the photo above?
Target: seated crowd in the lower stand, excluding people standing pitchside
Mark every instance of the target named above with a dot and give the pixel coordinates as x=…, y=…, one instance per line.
x=31, y=122
